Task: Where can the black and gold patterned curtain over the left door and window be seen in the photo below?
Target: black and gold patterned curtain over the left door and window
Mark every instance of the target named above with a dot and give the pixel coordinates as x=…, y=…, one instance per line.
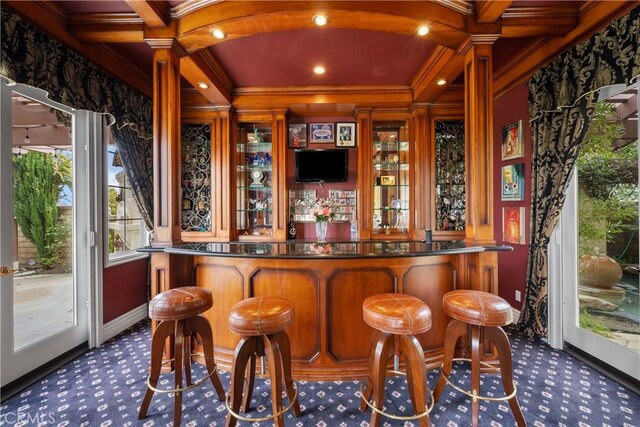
x=31, y=57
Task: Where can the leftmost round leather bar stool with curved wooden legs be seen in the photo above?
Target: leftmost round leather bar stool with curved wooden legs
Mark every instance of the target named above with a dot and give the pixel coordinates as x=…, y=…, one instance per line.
x=179, y=313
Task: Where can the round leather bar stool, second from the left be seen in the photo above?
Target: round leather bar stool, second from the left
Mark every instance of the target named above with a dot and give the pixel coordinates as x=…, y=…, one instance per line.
x=262, y=322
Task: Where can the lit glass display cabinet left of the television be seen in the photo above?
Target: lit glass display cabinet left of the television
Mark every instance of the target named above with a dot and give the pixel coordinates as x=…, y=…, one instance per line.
x=254, y=210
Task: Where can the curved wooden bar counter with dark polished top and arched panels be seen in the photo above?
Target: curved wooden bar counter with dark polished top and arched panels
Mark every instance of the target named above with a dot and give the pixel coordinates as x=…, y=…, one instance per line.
x=327, y=283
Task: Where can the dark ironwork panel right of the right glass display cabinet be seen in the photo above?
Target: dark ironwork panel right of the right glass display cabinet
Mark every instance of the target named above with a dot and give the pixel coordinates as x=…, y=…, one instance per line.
x=450, y=176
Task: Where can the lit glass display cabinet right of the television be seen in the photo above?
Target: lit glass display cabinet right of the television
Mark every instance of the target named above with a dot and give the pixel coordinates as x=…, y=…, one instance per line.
x=391, y=174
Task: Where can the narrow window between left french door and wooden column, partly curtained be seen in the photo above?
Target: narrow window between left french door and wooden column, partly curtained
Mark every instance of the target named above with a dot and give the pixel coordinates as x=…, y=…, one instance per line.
x=126, y=230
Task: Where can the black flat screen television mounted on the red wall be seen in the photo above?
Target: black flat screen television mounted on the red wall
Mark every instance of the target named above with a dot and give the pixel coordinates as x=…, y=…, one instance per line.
x=322, y=165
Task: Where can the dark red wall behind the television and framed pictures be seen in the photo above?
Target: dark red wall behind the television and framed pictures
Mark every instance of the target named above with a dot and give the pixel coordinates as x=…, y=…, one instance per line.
x=336, y=230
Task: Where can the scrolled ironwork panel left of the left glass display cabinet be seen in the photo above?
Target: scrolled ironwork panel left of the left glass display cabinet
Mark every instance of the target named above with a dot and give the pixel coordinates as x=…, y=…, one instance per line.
x=196, y=177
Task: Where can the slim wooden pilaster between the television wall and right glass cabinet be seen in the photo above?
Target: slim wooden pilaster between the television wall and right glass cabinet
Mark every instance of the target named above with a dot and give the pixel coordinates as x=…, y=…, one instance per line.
x=364, y=180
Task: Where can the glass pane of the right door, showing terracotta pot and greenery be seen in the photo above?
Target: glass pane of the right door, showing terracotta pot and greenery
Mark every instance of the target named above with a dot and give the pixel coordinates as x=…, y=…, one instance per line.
x=608, y=223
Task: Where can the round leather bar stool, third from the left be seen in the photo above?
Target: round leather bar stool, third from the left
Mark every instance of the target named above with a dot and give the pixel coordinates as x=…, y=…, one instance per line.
x=397, y=318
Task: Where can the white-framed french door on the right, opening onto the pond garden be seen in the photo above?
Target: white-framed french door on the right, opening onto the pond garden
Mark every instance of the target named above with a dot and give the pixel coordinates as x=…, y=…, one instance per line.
x=599, y=320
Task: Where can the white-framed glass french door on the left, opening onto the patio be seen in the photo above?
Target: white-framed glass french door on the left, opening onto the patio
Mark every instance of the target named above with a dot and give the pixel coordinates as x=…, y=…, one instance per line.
x=45, y=304
